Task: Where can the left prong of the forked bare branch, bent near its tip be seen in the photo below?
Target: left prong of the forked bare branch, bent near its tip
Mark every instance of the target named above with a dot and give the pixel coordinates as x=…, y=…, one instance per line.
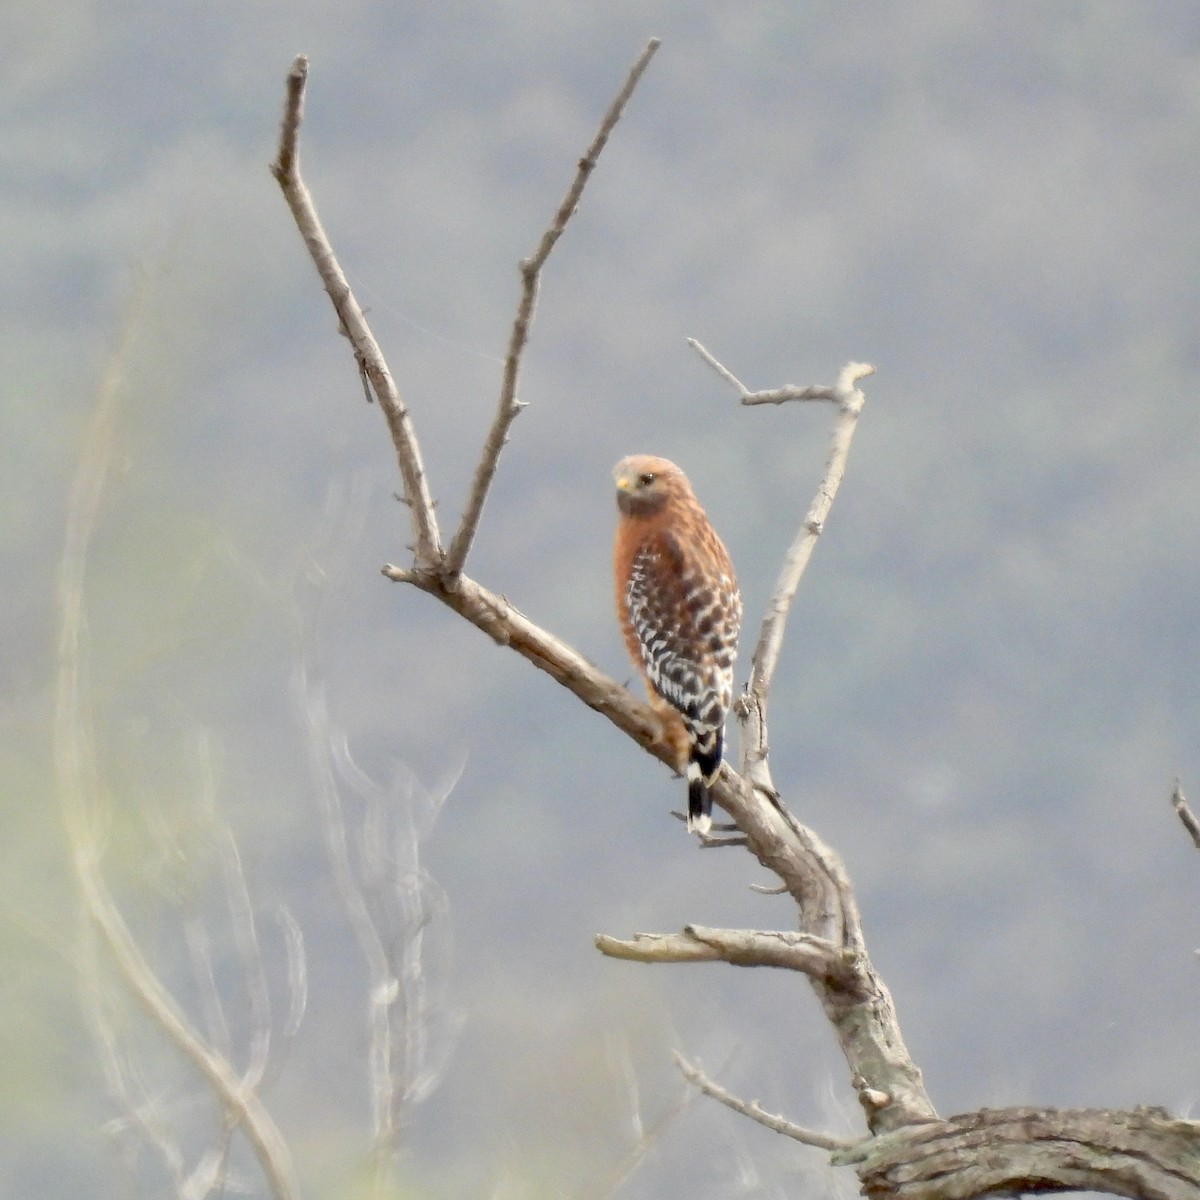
x=352, y=322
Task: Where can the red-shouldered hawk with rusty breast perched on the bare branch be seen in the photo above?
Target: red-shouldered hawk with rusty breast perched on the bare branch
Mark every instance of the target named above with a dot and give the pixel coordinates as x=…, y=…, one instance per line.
x=680, y=610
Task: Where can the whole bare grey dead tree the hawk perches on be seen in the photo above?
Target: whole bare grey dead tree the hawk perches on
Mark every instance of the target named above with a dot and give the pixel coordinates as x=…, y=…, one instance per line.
x=908, y=1150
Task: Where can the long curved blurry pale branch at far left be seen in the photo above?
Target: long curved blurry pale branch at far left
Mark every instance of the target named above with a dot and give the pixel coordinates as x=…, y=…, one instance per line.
x=79, y=787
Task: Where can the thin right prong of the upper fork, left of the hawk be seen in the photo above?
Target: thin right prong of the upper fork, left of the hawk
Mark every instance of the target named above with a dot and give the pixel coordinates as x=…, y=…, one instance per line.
x=531, y=279
